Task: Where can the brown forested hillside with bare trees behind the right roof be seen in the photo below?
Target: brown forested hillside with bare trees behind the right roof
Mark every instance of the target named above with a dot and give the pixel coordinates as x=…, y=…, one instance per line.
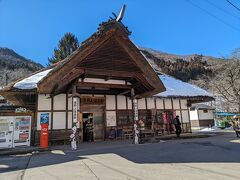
x=218, y=76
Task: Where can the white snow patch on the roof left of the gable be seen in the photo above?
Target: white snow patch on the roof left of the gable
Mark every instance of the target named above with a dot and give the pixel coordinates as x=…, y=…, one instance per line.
x=31, y=81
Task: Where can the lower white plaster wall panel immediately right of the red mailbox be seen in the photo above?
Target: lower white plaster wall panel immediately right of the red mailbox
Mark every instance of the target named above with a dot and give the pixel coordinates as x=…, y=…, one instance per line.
x=59, y=120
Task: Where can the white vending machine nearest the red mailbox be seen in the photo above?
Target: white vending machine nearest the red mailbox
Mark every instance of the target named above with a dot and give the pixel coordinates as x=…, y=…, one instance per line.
x=22, y=131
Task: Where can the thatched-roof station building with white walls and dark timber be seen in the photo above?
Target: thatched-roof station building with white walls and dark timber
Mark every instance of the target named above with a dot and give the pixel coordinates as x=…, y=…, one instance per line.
x=105, y=74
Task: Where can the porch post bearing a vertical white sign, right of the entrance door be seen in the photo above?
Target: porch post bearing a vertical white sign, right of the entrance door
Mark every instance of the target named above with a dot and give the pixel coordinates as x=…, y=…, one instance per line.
x=135, y=116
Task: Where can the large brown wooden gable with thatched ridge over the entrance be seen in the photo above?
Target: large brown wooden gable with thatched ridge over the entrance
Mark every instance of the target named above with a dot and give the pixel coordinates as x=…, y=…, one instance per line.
x=108, y=54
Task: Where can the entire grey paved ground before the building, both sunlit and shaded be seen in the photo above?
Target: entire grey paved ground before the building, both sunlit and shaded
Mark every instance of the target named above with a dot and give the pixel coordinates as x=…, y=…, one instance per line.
x=215, y=157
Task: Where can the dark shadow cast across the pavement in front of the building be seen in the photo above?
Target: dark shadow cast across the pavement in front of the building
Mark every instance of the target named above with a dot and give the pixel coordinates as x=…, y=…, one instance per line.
x=218, y=149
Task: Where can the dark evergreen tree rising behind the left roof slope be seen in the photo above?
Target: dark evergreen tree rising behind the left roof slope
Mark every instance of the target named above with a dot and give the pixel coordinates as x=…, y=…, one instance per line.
x=66, y=46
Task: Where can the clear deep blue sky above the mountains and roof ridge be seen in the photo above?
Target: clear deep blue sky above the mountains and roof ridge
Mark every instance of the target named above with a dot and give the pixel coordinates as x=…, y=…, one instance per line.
x=33, y=27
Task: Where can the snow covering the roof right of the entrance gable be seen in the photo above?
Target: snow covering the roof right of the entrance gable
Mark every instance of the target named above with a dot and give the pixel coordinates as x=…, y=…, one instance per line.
x=177, y=88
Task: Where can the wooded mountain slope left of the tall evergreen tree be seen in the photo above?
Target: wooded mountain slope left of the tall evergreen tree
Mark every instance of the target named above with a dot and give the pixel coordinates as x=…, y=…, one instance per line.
x=13, y=66
